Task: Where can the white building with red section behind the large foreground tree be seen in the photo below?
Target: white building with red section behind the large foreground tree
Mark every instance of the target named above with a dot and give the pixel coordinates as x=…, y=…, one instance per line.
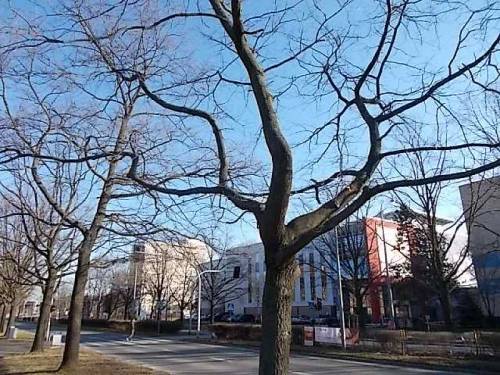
x=316, y=291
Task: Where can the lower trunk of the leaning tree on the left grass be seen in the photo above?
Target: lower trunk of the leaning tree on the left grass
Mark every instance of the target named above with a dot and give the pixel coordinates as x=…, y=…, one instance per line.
x=72, y=346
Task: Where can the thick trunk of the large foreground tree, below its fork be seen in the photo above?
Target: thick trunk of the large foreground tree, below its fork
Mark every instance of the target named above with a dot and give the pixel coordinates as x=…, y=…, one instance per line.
x=276, y=319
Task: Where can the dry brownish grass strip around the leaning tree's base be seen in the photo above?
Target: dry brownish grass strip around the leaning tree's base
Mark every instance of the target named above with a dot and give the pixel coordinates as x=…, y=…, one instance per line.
x=48, y=362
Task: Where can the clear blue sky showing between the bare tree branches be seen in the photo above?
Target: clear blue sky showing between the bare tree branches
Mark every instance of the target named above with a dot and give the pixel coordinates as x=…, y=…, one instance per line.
x=429, y=47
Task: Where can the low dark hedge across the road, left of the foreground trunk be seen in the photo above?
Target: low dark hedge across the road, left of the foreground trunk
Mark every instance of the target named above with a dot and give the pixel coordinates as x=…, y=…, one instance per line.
x=124, y=325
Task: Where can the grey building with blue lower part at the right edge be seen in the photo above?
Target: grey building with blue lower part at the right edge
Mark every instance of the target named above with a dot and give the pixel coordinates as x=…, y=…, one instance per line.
x=481, y=206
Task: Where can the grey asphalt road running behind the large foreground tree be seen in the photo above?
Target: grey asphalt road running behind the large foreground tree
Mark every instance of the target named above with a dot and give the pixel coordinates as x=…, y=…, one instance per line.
x=187, y=357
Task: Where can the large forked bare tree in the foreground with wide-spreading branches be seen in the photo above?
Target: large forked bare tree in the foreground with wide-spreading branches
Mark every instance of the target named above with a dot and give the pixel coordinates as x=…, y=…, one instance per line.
x=365, y=76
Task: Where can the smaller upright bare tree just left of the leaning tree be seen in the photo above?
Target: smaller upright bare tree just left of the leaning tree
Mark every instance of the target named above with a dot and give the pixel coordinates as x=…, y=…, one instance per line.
x=54, y=244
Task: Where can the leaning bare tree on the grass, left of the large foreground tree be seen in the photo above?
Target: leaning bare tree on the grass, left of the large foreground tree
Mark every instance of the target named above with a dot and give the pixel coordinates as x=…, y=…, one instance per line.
x=88, y=145
